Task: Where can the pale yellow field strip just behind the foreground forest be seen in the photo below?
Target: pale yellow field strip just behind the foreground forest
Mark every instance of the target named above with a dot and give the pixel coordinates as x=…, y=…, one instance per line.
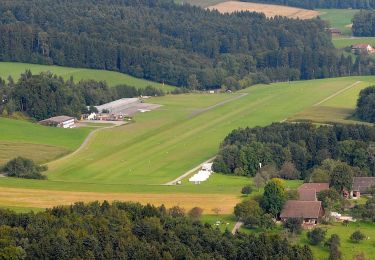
x=47, y=198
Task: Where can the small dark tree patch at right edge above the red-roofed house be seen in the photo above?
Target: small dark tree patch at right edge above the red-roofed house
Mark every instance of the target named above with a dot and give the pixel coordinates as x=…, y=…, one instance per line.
x=364, y=23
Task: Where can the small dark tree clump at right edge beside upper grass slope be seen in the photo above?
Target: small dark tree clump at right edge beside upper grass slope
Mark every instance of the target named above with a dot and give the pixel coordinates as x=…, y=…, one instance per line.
x=366, y=105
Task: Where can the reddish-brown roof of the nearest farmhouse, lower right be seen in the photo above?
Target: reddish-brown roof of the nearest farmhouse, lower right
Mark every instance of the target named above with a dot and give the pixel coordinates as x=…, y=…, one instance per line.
x=301, y=209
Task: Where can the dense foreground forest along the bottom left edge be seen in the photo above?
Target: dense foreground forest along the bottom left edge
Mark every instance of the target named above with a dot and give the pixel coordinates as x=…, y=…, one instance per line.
x=130, y=231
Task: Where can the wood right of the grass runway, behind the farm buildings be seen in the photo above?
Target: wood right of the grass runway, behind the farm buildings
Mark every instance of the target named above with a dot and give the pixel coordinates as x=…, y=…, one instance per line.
x=298, y=150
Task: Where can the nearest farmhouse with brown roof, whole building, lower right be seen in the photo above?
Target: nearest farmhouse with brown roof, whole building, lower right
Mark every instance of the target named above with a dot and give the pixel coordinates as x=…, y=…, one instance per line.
x=309, y=211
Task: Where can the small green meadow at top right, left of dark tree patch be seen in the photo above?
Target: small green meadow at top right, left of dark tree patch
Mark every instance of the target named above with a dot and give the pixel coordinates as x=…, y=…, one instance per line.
x=339, y=18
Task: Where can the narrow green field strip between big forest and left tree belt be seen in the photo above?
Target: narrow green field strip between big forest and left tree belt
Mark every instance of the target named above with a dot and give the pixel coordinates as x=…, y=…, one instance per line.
x=112, y=78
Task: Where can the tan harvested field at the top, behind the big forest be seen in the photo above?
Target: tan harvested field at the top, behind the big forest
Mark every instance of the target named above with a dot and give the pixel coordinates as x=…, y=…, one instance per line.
x=268, y=10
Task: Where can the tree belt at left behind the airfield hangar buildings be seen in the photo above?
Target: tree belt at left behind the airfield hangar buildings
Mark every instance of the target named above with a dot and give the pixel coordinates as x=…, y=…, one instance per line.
x=45, y=95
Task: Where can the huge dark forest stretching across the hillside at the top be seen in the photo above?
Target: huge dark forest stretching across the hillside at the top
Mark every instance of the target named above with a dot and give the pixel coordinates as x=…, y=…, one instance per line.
x=180, y=45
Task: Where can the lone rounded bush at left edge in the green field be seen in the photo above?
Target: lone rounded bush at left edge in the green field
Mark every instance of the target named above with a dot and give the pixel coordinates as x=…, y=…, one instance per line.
x=24, y=168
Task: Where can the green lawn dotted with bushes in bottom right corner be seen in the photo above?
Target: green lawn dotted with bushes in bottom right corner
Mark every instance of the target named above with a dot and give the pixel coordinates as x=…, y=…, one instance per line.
x=348, y=248
